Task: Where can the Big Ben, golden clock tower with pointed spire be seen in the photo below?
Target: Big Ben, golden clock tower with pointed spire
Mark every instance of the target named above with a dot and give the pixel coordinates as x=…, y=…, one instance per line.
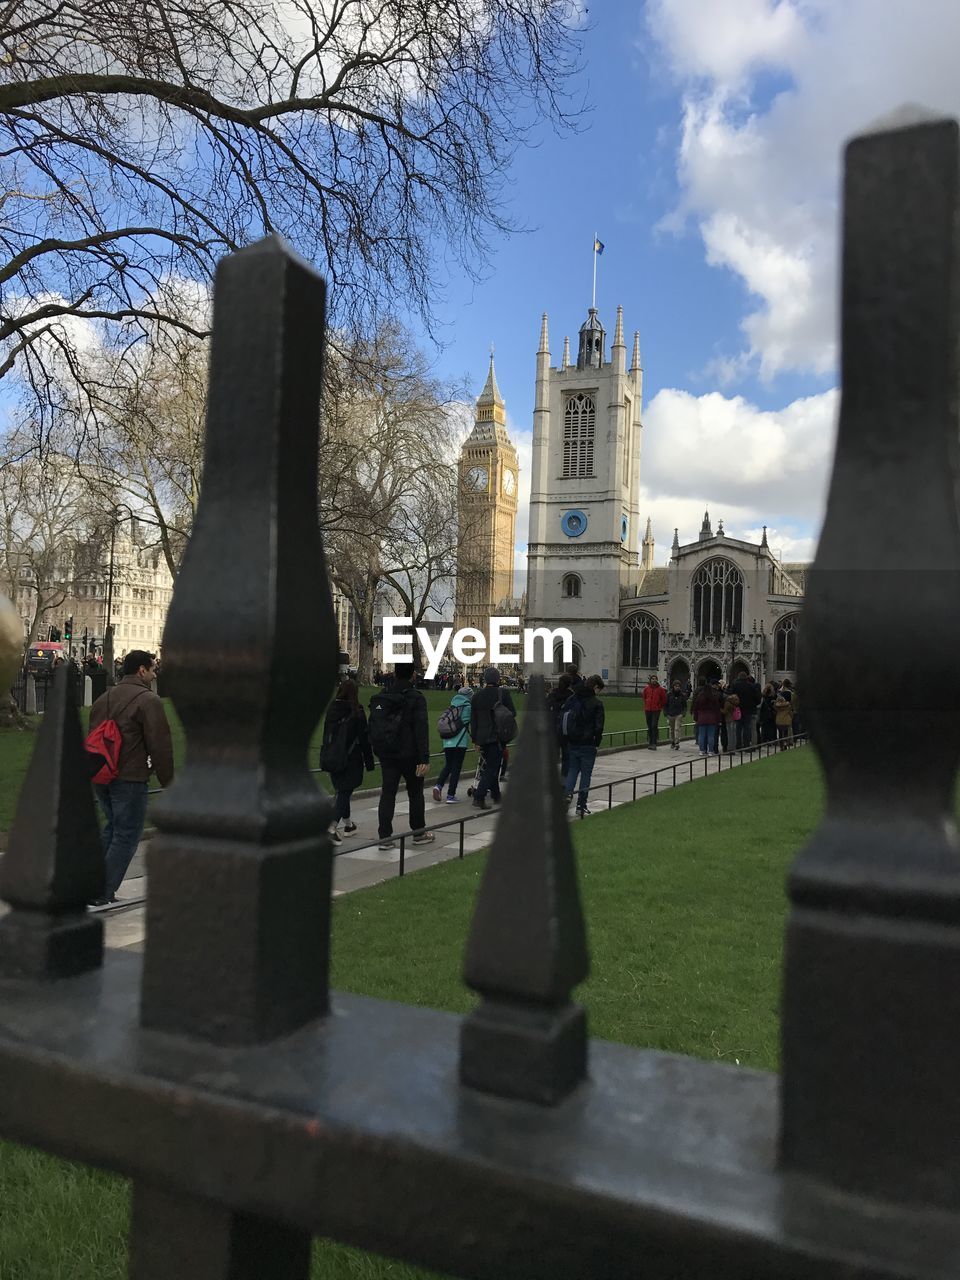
x=487, y=511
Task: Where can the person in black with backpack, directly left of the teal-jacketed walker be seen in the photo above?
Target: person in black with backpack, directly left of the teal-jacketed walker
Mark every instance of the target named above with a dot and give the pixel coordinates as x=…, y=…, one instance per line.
x=400, y=738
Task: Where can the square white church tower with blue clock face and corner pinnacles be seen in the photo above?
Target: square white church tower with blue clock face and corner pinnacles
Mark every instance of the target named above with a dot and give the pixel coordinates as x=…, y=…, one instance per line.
x=584, y=545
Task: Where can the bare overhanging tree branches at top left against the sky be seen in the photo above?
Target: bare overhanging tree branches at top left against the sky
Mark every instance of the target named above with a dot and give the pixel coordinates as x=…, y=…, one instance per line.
x=141, y=140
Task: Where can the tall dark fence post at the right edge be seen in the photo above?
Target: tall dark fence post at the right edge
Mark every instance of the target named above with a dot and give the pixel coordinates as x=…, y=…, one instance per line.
x=872, y=979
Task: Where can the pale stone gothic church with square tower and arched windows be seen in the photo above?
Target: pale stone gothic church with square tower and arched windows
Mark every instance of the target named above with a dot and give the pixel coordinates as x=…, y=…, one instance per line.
x=723, y=607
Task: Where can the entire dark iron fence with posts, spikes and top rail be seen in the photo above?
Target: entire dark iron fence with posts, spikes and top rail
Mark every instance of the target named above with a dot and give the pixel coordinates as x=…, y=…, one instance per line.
x=508, y=1144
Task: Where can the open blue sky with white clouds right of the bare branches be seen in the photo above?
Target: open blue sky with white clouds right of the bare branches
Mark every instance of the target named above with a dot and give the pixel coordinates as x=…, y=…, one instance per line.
x=710, y=167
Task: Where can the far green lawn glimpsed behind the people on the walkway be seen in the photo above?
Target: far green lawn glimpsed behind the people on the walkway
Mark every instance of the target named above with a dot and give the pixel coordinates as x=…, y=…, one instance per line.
x=624, y=712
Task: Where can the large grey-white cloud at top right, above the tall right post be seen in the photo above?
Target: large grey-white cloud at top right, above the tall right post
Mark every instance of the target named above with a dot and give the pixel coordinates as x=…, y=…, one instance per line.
x=762, y=182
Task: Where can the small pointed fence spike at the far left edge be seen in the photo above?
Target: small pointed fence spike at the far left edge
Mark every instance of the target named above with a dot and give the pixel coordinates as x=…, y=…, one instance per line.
x=54, y=865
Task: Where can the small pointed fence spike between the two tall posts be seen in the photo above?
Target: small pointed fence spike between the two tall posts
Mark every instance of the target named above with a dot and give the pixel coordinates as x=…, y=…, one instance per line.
x=528, y=941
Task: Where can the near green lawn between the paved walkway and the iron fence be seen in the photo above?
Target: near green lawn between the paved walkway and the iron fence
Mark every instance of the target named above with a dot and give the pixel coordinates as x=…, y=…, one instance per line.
x=684, y=900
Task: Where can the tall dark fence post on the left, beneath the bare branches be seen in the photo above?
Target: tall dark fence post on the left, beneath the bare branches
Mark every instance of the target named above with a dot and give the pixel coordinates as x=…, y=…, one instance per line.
x=239, y=911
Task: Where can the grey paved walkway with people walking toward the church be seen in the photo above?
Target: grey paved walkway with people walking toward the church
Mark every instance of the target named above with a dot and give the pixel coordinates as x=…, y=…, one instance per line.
x=359, y=863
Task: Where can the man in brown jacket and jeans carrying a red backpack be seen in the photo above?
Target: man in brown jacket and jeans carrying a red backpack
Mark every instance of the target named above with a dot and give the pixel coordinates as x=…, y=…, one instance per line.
x=145, y=748
